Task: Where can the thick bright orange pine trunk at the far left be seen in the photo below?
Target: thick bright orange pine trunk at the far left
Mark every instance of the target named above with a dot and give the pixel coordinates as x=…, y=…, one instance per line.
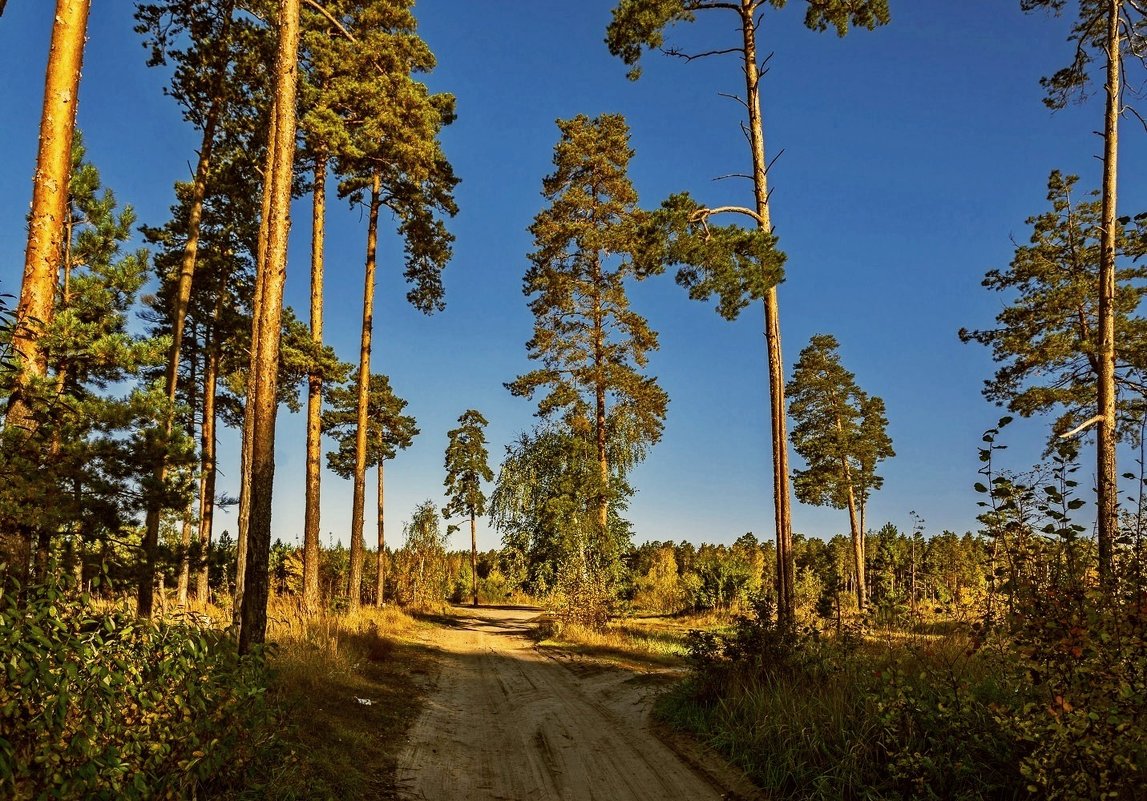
x=45, y=227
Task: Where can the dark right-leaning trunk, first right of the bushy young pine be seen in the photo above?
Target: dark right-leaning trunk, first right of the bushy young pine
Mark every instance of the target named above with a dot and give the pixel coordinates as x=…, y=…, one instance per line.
x=180, y=317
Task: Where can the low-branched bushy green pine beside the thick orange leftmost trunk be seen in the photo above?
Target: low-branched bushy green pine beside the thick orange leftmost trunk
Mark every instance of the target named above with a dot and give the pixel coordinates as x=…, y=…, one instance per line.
x=90, y=452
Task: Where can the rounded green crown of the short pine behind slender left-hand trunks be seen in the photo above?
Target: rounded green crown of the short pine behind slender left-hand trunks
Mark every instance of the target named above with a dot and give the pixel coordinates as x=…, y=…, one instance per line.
x=388, y=430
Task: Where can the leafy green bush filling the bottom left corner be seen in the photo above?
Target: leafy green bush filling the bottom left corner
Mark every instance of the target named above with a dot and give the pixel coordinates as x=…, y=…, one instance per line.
x=96, y=704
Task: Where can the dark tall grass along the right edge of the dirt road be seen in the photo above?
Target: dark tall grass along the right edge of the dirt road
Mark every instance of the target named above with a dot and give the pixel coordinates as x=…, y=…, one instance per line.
x=849, y=719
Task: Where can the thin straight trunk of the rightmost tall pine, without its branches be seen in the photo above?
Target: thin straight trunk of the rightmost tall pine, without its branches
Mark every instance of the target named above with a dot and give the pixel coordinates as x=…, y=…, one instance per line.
x=1106, y=479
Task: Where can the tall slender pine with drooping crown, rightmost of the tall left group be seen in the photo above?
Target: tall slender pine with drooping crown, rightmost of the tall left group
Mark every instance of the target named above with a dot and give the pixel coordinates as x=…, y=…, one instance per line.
x=392, y=159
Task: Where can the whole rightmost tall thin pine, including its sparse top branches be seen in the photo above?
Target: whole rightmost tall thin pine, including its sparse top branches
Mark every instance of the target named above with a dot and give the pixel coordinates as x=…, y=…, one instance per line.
x=1117, y=30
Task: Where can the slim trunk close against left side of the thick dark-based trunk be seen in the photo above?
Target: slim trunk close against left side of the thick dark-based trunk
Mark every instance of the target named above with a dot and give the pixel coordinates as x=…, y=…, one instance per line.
x=245, y=469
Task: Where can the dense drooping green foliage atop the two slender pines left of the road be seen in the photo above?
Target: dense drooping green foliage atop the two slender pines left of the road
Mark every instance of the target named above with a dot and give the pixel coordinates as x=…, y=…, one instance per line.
x=363, y=107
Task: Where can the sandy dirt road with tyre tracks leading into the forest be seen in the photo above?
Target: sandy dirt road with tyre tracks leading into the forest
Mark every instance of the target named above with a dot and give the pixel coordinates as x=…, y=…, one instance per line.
x=506, y=722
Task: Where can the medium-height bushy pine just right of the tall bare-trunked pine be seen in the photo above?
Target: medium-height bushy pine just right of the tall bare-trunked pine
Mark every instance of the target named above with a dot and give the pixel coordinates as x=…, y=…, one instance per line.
x=840, y=432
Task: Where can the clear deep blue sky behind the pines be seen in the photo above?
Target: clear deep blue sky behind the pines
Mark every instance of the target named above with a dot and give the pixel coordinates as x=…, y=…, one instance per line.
x=911, y=158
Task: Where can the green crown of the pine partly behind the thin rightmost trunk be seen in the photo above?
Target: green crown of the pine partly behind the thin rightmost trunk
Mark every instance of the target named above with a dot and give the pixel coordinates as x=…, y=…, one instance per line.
x=1047, y=339
